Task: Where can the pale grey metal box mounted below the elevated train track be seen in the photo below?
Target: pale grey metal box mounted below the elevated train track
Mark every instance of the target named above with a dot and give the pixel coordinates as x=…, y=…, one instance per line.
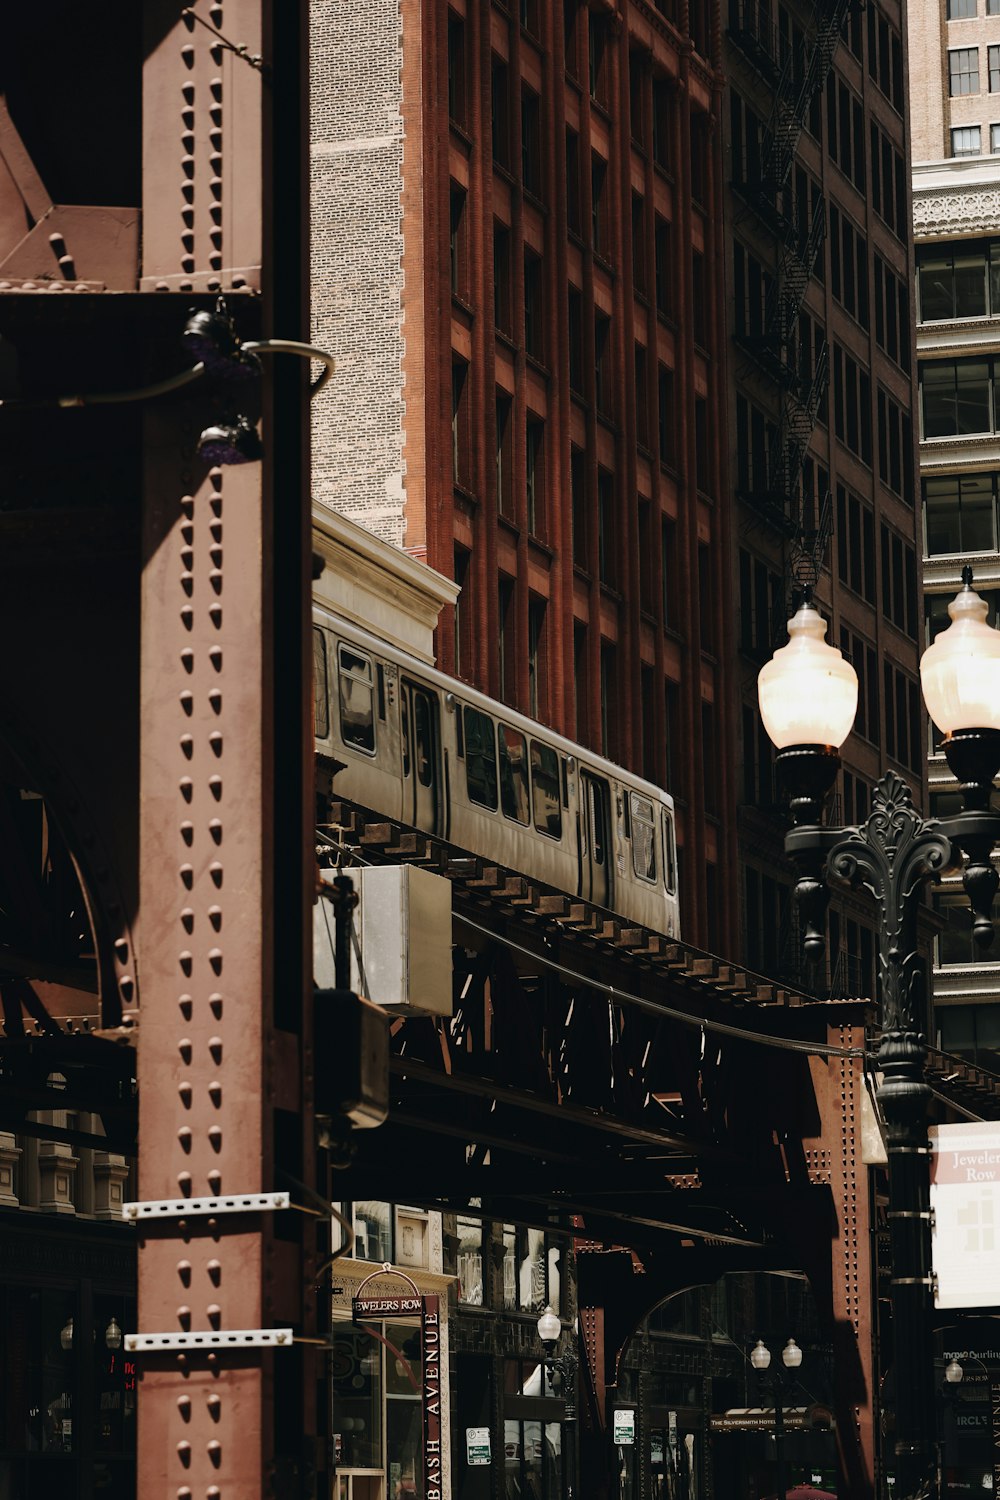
x=401, y=940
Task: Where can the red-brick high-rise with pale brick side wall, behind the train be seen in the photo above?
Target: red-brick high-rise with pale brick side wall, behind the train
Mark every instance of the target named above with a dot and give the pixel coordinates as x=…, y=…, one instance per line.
x=518, y=260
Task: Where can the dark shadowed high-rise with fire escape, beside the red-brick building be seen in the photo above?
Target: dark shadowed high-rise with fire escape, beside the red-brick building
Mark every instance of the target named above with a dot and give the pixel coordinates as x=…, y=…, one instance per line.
x=821, y=413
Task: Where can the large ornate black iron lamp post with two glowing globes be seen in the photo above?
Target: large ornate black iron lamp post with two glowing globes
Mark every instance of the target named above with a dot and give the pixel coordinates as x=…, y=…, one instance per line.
x=809, y=698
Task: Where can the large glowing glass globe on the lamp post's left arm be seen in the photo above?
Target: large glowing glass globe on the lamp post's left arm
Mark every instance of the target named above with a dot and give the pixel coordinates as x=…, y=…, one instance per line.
x=807, y=692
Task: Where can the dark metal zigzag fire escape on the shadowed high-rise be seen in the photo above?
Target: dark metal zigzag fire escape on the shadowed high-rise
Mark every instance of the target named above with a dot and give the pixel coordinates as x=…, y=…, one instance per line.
x=795, y=71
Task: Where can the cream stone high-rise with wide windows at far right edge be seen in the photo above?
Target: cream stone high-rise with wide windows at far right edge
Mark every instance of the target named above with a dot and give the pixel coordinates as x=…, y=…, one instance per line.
x=957, y=220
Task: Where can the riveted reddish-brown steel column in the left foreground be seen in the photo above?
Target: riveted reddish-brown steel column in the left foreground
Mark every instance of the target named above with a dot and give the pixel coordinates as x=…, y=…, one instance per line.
x=224, y=1037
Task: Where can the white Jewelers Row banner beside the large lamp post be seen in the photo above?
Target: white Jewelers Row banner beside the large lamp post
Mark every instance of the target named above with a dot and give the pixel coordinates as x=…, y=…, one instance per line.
x=966, y=1207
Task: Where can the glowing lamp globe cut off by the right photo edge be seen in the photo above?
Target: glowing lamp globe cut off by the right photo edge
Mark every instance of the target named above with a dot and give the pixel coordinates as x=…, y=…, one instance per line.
x=960, y=673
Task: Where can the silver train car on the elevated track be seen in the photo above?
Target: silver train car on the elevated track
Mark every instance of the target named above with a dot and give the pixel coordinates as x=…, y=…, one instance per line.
x=430, y=752
